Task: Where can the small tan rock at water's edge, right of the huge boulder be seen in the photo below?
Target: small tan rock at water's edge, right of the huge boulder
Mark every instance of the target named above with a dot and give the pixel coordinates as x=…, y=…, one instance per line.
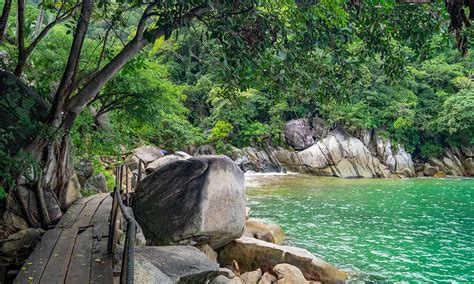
x=257, y=229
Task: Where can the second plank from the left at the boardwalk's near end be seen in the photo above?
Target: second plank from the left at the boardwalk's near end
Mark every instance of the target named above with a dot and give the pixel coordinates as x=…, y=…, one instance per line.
x=58, y=264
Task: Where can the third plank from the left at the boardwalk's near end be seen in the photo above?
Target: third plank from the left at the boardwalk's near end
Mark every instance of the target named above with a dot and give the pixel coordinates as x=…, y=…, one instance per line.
x=80, y=265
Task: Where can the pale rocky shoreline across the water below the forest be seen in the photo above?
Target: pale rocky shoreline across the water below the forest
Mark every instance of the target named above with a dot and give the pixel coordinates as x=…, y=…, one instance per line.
x=339, y=153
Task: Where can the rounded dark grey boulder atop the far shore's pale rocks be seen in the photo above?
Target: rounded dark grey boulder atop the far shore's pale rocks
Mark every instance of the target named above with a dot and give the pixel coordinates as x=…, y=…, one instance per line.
x=298, y=133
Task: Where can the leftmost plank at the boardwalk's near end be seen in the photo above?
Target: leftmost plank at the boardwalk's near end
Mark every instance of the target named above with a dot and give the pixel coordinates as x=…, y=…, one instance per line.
x=35, y=264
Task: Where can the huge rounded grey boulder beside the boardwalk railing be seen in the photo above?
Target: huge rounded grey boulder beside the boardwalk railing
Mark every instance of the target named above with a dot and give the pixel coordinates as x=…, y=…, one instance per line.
x=196, y=201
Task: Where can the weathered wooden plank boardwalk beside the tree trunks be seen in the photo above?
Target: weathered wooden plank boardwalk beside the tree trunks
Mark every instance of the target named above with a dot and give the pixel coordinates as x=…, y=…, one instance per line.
x=75, y=251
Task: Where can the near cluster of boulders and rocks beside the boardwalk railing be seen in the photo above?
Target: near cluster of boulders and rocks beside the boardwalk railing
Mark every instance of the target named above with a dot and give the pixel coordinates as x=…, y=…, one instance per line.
x=196, y=226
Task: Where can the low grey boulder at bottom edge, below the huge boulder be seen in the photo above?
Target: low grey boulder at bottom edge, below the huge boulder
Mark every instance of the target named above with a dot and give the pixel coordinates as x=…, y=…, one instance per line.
x=173, y=264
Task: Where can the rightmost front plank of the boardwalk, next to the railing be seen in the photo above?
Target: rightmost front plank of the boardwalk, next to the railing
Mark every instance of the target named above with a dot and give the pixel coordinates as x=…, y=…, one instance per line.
x=102, y=265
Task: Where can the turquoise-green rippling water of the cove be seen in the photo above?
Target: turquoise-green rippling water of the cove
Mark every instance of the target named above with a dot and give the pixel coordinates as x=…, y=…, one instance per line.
x=374, y=229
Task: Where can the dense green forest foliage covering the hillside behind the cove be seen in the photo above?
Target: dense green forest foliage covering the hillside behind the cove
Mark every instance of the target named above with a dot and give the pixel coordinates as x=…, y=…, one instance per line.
x=239, y=77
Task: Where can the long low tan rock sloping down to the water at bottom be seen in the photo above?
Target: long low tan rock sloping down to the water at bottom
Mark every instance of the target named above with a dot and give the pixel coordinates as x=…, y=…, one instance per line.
x=252, y=254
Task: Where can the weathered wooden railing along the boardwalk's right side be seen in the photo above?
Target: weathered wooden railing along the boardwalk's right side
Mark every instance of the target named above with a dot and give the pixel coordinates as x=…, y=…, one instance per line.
x=119, y=208
